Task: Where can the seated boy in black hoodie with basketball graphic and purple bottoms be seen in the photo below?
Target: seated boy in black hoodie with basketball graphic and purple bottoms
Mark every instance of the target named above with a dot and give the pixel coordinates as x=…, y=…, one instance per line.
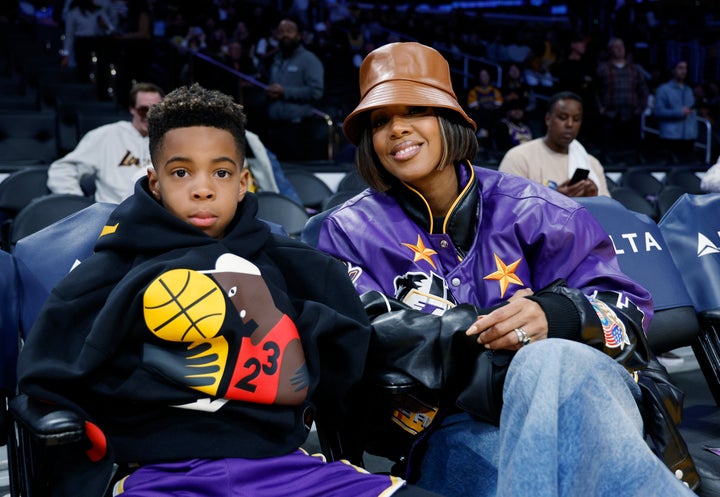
x=201, y=345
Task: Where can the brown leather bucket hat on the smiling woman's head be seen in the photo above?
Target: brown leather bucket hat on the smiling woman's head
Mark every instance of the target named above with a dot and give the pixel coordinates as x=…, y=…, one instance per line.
x=405, y=73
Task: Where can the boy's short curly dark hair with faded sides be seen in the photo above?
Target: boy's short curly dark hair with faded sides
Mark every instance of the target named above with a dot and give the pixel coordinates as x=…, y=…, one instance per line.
x=194, y=105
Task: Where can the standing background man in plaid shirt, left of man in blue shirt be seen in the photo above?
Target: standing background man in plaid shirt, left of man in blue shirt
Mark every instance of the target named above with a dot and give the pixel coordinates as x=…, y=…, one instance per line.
x=622, y=97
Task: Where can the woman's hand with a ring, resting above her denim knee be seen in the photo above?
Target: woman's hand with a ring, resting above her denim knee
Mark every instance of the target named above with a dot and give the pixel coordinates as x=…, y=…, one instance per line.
x=497, y=329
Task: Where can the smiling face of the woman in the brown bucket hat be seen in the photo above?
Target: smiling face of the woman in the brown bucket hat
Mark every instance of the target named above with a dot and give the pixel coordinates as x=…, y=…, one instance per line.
x=407, y=141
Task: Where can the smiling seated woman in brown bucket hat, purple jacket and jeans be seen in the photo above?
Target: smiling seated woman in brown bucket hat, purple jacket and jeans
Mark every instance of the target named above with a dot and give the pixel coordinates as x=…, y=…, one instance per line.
x=523, y=272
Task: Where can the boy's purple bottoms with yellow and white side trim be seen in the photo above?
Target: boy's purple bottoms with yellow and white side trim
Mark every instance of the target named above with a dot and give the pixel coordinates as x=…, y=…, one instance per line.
x=297, y=474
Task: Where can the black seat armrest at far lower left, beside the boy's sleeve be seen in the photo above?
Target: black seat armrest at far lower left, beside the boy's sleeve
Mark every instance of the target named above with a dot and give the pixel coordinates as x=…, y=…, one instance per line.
x=48, y=423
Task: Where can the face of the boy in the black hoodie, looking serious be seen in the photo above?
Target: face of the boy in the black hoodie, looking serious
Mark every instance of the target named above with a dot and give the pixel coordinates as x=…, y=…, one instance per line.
x=198, y=177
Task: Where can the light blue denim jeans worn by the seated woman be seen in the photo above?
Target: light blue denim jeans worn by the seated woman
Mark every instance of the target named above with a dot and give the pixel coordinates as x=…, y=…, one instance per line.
x=569, y=427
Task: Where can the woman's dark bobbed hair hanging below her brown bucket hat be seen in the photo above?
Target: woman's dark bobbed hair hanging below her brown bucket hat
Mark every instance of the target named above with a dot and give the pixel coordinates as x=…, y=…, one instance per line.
x=459, y=143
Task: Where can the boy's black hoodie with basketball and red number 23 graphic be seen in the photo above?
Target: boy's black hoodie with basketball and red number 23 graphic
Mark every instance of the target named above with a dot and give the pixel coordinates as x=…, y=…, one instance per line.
x=179, y=345
